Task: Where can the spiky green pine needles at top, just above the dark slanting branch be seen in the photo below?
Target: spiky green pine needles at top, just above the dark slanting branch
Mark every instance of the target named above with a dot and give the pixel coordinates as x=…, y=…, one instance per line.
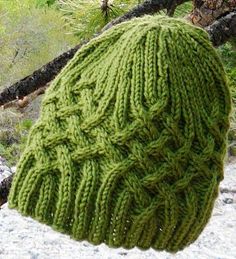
x=86, y=18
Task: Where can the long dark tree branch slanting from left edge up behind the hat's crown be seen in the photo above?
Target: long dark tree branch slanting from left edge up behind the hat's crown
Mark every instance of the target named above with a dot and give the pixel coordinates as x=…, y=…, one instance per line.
x=48, y=72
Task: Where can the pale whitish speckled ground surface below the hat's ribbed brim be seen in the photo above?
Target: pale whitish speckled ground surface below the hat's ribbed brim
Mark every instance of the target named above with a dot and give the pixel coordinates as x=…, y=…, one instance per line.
x=24, y=238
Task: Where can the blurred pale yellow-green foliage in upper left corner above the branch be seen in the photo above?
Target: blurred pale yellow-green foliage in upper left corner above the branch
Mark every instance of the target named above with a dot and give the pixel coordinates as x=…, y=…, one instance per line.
x=29, y=38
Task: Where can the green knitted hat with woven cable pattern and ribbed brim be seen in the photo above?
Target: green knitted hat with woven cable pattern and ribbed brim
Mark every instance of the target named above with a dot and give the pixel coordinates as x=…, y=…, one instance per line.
x=130, y=143
